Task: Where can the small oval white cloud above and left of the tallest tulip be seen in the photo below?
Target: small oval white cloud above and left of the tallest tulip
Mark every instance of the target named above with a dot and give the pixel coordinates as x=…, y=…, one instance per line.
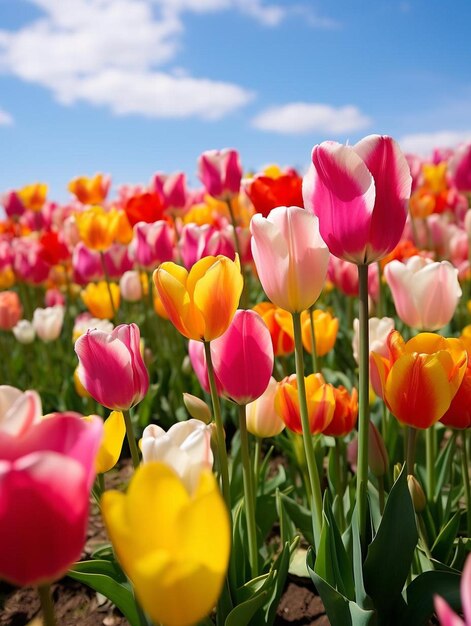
x=298, y=118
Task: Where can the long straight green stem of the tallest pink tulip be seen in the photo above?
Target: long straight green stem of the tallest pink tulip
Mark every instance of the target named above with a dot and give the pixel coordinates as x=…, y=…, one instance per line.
x=363, y=402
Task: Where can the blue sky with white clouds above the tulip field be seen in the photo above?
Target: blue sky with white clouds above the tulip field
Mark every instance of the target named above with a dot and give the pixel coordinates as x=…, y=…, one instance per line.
x=130, y=87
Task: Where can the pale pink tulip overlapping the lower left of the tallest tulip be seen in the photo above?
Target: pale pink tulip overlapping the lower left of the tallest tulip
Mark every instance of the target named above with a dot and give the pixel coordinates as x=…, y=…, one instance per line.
x=290, y=257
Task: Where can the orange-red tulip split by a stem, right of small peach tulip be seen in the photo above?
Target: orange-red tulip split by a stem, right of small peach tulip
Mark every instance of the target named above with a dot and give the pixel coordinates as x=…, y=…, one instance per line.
x=320, y=403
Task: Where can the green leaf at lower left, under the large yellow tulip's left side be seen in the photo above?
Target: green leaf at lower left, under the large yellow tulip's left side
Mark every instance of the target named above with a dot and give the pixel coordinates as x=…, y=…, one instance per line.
x=108, y=578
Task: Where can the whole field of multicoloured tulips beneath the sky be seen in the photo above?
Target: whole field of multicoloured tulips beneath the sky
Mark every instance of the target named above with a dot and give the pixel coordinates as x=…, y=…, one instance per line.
x=282, y=365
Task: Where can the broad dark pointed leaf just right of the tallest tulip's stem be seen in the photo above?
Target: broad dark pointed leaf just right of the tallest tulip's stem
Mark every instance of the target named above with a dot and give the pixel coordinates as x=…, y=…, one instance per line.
x=390, y=553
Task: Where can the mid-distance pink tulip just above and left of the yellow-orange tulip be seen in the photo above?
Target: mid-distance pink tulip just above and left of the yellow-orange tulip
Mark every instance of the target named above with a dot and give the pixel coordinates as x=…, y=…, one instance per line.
x=152, y=244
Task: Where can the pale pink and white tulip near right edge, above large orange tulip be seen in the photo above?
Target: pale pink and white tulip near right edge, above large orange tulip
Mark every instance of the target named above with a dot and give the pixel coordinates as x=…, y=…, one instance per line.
x=425, y=293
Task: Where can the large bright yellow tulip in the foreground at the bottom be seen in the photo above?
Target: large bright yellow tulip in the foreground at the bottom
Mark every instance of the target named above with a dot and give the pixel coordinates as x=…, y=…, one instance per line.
x=173, y=545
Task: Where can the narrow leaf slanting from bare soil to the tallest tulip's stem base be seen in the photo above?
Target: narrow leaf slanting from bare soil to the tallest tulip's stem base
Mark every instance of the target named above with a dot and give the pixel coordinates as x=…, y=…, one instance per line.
x=339, y=609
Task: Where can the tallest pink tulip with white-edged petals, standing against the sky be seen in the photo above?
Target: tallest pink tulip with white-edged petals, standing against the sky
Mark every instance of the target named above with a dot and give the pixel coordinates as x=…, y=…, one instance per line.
x=359, y=193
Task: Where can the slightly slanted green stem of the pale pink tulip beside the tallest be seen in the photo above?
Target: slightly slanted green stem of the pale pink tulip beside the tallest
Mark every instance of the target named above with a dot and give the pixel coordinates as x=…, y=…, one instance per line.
x=316, y=499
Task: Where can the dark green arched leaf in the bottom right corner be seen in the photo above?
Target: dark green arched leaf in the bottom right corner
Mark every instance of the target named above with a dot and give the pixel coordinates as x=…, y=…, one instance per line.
x=420, y=593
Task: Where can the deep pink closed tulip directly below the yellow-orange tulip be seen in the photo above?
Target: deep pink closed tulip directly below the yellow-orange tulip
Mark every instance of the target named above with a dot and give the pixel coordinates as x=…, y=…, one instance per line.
x=243, y=357
